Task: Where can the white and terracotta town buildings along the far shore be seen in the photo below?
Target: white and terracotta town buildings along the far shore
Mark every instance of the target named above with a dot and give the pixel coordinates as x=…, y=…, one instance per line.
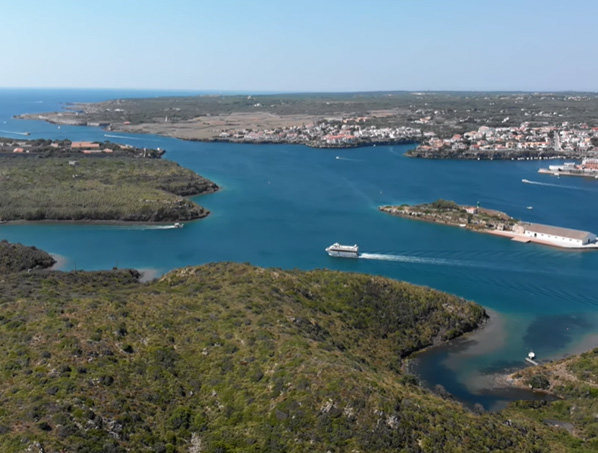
x=522, y=142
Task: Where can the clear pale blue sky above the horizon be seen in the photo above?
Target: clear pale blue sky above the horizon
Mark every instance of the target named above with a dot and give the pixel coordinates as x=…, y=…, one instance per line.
x=301, y=45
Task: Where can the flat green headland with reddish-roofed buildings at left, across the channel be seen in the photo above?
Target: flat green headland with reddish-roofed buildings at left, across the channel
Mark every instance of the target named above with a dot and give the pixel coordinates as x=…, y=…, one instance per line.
x=92, y=181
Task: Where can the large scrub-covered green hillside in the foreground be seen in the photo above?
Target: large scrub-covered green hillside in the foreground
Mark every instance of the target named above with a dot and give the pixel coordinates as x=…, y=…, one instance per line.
x=229, y=357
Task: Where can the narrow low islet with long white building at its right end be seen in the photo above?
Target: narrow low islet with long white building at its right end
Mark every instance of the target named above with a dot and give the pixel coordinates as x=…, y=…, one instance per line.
x=494, y=222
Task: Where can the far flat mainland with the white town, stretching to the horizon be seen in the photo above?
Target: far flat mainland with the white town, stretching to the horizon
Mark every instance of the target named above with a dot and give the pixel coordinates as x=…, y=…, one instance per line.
x=440, y=125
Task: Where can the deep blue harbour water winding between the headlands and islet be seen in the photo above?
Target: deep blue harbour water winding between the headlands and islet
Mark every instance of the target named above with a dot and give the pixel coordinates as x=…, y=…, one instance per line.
x=281, y=205
